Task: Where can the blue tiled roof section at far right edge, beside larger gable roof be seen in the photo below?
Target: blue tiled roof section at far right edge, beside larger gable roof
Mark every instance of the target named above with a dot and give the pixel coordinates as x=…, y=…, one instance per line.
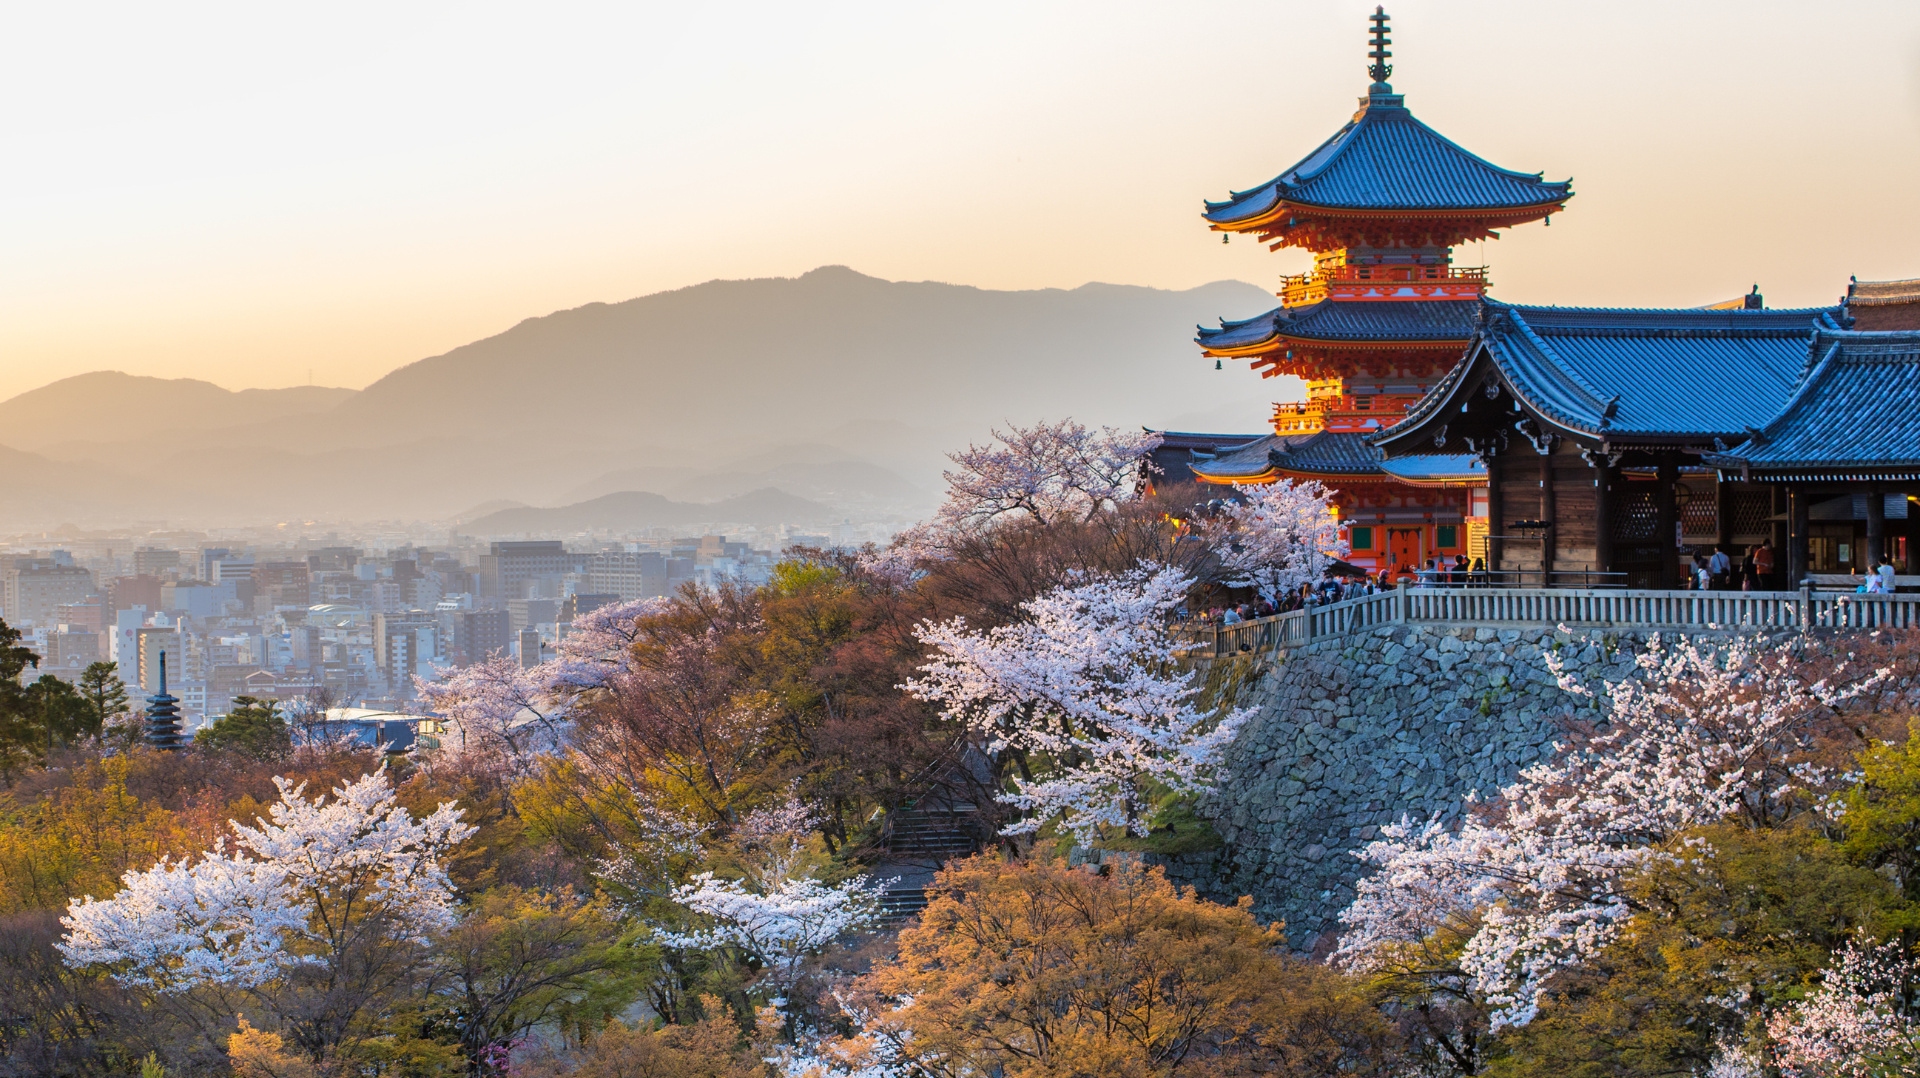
x=1858, y=410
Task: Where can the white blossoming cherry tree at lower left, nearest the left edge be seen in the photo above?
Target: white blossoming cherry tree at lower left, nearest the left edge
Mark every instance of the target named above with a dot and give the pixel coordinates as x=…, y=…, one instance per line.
x=241, y=918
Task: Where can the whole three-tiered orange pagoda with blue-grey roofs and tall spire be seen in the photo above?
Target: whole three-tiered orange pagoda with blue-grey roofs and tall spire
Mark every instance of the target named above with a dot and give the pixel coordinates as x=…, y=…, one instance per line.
x=1383, y=316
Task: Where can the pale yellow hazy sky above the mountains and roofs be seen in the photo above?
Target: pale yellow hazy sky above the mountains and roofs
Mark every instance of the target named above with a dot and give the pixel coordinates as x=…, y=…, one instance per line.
x=251, y=191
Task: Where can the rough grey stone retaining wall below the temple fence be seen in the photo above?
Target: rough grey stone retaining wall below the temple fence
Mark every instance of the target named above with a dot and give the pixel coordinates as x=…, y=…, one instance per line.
x=1356, y=733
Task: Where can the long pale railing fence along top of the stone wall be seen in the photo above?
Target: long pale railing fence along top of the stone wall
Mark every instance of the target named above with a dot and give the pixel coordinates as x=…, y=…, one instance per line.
x=1575, y=608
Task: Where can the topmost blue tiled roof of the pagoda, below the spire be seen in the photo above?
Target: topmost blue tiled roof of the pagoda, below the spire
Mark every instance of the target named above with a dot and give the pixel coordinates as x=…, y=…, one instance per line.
x=1387, y=160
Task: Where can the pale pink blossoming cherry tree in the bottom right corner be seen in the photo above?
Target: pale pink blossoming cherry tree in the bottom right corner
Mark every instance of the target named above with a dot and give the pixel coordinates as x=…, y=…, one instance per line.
x=1858, y=1023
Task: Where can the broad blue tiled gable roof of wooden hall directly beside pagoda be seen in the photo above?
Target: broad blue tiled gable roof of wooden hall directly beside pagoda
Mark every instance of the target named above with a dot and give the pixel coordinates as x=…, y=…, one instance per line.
x=1621, y=372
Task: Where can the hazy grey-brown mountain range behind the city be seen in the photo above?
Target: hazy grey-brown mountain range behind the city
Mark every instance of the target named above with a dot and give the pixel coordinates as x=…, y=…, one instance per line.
x=834, y=389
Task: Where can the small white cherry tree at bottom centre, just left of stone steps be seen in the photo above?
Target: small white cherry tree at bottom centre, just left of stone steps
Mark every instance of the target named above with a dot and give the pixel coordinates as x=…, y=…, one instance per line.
x=780, y=912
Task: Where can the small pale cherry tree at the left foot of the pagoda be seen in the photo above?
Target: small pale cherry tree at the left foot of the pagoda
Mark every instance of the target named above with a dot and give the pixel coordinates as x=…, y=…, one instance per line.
x=1278, y=537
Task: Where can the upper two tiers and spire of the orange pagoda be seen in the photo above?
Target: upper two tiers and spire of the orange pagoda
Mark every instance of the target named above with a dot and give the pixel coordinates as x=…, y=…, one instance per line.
x=1385, y=312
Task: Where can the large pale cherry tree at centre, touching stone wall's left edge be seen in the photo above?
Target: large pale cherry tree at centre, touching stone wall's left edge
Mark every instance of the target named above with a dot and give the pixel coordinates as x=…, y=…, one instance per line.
x=1090, y=683
